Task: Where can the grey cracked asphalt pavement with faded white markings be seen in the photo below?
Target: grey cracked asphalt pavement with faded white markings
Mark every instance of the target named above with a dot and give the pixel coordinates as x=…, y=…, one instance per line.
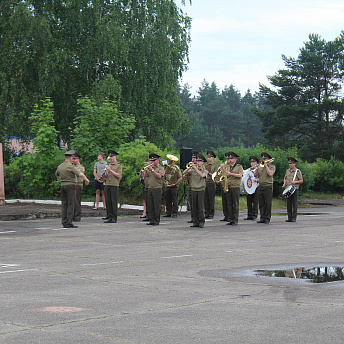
x=132, y=283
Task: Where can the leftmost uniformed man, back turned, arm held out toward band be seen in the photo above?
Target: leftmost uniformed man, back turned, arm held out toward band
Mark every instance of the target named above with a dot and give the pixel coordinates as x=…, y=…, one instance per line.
x=67, y=173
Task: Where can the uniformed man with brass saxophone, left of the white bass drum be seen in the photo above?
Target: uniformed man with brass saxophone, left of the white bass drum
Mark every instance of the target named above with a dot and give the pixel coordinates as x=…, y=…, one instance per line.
x=233, y=172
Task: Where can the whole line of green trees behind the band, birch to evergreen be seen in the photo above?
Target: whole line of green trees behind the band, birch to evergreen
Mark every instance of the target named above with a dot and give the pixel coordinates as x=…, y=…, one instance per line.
x=112, y=67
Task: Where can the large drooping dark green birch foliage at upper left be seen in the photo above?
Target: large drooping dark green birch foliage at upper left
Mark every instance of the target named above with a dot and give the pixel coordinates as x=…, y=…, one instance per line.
x=63, y=49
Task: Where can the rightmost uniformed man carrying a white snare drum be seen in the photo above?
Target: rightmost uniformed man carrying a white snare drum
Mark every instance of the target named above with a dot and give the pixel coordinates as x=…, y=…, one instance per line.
x=293, y=176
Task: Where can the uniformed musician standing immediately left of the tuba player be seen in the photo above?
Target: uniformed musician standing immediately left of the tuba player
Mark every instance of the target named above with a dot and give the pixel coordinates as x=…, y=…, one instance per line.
x=154, y=181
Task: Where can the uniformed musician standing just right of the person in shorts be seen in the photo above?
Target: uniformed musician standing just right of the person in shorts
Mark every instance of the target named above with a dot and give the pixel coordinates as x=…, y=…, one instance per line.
x=112, y=177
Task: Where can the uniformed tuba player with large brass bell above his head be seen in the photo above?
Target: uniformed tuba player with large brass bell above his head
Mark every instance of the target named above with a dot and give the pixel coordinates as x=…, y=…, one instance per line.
x=172, y=178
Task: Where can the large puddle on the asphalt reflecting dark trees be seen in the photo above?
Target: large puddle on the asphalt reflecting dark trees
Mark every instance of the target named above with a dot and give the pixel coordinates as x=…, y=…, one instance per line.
x=317, y=274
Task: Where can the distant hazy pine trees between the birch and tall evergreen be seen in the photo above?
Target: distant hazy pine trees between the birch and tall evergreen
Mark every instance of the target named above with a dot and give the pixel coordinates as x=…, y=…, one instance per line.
x=219, y=118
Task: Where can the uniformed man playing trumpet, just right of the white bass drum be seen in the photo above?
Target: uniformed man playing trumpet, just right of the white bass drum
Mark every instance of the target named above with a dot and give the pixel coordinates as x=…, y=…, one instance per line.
x=265, y=177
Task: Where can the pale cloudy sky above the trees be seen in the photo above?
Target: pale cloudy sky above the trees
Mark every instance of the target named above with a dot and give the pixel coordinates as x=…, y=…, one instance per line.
x=241, y=42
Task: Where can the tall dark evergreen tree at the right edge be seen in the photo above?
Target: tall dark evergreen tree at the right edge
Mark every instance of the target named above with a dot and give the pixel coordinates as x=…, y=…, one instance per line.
x=306, y=102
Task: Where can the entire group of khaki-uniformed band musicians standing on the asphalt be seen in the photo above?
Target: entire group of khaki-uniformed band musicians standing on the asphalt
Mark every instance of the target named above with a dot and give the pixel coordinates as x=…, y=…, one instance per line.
x=201, y=174
